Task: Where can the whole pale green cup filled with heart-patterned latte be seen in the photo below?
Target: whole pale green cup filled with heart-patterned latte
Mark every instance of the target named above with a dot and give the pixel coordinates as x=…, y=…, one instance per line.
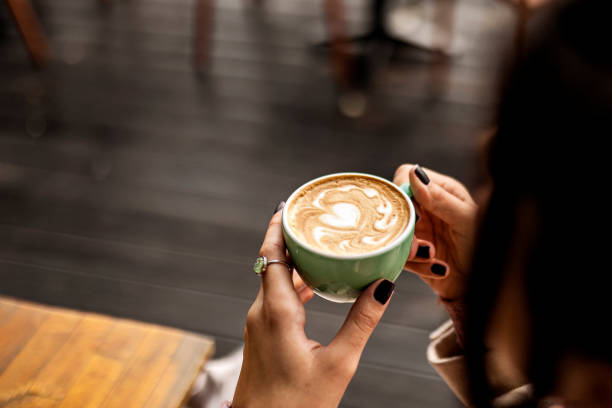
x=336, y=269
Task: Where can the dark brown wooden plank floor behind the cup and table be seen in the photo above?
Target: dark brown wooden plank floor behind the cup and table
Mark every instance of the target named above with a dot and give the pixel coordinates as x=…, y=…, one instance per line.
x=133, y=186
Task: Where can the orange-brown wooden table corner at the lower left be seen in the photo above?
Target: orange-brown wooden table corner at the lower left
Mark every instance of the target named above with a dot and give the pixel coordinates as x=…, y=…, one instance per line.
x=51, y=357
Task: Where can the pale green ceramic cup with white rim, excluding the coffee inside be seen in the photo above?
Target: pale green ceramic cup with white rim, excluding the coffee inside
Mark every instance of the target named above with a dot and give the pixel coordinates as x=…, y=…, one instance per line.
x=342, y=278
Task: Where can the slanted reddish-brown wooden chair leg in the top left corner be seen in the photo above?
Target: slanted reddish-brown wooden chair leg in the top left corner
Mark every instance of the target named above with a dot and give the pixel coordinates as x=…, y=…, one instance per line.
x=31, y=30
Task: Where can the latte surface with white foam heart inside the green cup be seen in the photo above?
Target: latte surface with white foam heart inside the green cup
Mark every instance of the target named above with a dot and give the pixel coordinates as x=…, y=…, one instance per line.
x=348, y=214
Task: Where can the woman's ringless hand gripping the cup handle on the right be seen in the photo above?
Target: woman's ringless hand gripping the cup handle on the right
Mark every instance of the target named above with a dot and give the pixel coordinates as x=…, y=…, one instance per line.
x=447, y=225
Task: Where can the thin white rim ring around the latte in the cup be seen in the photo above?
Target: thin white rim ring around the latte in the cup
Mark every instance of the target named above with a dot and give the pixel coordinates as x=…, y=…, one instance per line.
x=399, y=240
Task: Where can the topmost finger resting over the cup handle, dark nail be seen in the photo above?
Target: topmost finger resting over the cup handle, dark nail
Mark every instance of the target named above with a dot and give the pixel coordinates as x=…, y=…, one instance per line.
x=437, y=201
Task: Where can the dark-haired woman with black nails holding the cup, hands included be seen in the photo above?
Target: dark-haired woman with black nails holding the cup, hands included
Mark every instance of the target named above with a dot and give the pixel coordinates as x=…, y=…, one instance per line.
x=529, y=307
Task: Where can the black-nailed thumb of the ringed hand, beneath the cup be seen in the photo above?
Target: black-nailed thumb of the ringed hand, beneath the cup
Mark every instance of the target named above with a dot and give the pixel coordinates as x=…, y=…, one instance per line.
x=362, y=320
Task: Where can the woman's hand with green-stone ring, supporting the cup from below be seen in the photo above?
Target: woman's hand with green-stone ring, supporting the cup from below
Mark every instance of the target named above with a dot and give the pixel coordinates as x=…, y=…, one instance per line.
x=284, y=368
